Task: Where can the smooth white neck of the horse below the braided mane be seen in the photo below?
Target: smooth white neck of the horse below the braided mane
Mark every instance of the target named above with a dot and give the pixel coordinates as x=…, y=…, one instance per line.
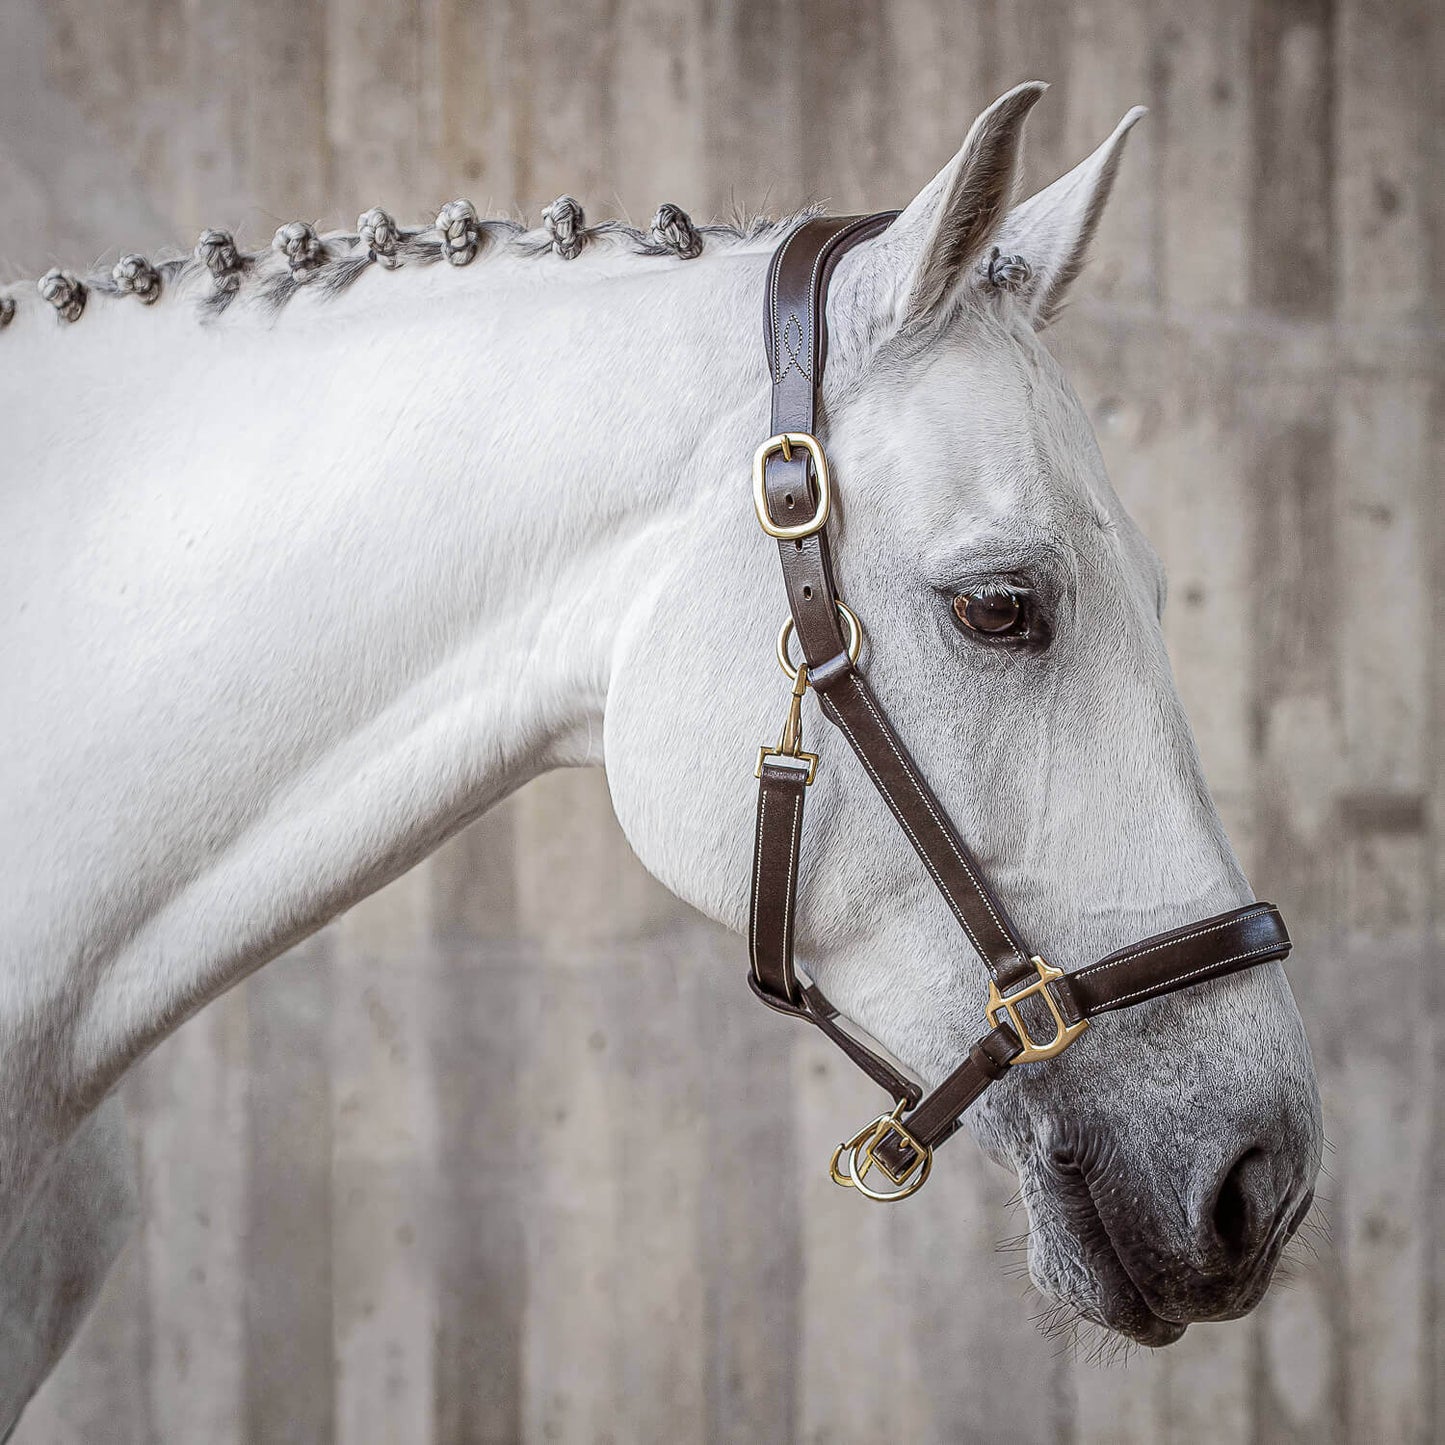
x=327, y=585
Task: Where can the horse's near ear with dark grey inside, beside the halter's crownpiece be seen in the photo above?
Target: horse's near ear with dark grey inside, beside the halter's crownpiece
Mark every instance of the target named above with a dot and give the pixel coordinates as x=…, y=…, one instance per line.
x=920, y=265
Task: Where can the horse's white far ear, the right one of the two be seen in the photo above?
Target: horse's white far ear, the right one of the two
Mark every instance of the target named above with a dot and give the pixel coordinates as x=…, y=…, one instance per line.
x=1053, y=230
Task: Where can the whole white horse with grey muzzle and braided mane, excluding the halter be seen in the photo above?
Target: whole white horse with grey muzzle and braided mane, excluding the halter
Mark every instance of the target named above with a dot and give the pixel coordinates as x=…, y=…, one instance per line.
x=316, y=560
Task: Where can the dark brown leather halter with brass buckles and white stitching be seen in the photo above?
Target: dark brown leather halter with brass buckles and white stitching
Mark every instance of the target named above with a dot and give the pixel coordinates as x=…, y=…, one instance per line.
x=1034, y=1011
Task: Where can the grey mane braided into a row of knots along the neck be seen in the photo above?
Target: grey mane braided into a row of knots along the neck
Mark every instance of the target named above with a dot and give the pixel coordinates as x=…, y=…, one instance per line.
x=301, y=259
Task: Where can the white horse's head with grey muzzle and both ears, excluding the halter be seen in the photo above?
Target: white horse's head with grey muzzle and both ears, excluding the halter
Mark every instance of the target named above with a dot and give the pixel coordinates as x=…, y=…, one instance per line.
x=1012, y=615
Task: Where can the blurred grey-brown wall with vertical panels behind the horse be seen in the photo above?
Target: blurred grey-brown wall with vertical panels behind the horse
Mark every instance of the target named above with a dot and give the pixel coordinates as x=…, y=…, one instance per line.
x=339, y=1241
